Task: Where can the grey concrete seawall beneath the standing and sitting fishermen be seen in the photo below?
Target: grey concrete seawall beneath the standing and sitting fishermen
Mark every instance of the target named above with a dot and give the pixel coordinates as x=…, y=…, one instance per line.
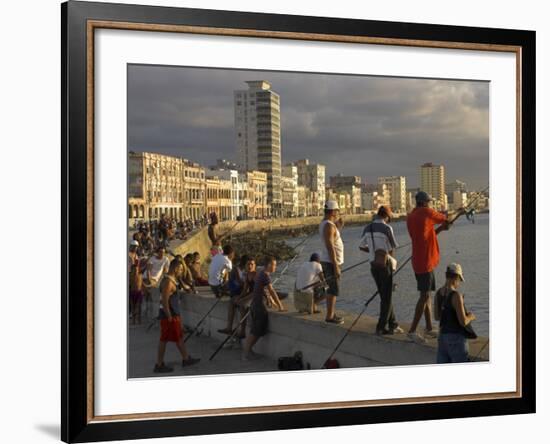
x=290, y=332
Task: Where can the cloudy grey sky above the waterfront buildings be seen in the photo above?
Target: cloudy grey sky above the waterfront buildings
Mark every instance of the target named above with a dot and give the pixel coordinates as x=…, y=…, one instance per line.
x=355, y=125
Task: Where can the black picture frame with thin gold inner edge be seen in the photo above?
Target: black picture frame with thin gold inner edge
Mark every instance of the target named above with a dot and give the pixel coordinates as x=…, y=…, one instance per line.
x=80, y=20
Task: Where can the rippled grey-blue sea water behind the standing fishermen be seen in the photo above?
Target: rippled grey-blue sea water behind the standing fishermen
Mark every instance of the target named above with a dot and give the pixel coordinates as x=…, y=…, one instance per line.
x=466, y=243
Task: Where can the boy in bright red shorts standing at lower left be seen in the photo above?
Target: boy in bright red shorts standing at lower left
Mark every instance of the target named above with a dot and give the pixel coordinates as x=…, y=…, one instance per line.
x=170, y=320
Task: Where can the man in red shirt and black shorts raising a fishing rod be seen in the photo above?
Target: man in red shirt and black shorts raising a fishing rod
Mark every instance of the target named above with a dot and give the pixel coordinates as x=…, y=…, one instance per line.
x=425, y=258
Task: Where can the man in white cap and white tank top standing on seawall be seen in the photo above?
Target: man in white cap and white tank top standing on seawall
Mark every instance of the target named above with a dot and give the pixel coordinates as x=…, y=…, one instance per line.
x=332, y=256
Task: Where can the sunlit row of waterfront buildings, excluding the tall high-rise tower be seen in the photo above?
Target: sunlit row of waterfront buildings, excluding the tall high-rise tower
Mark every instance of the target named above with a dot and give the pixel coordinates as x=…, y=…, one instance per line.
x=162, y=184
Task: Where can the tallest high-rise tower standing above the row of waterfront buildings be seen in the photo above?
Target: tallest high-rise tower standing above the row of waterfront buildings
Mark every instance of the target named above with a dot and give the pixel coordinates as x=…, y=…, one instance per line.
x=258, y=136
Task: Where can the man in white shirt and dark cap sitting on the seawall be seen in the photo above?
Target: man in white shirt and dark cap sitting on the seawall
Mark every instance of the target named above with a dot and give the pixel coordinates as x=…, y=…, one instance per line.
x=310, y=285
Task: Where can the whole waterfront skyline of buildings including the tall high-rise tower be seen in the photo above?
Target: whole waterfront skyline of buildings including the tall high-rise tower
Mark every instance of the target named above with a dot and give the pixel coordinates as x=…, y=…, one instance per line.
x=259, y=185
